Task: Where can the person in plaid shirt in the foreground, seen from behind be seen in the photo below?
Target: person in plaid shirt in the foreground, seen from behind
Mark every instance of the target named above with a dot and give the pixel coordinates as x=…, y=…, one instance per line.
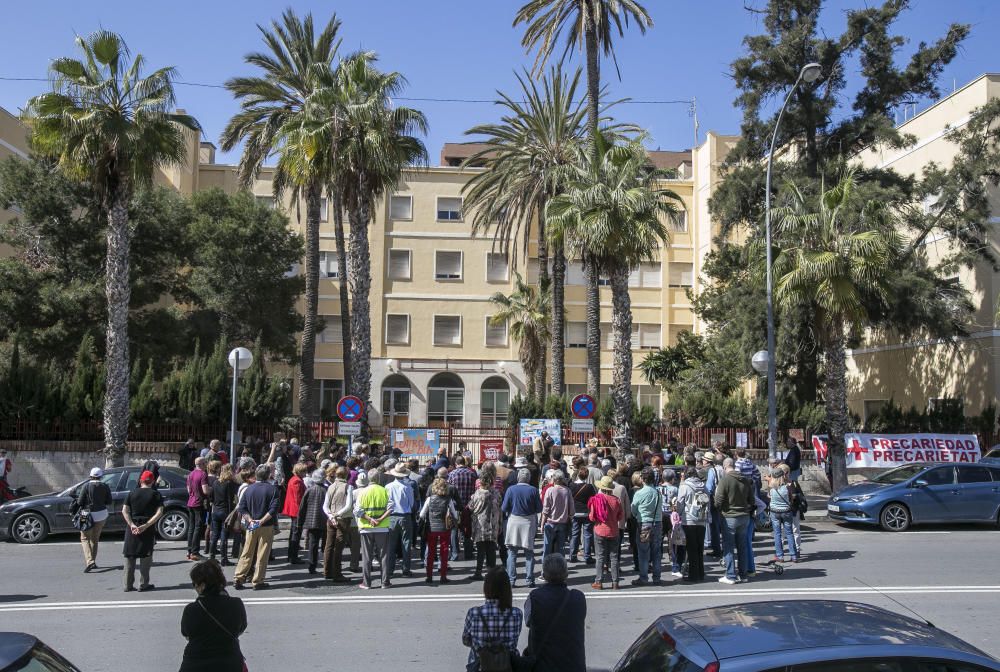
x=497, y=622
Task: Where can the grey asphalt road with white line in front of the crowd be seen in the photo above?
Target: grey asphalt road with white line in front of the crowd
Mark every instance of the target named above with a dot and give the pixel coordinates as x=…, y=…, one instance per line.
x=943, y=573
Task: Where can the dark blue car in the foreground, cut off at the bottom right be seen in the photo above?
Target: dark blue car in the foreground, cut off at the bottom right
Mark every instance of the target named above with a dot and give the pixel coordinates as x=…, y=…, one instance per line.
x=799, y=636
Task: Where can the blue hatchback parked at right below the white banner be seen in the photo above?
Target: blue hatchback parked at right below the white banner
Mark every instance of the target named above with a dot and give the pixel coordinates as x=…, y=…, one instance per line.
x=922, y=493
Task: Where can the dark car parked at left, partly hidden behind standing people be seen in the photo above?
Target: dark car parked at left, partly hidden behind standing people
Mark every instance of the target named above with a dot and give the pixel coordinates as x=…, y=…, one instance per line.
x=32, y=519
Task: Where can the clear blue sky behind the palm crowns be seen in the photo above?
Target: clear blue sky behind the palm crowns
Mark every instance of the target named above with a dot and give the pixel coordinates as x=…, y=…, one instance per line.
x=456, y=49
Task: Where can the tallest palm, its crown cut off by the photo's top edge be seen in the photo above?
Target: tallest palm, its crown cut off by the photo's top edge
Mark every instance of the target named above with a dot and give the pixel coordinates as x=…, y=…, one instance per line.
x=590, y=25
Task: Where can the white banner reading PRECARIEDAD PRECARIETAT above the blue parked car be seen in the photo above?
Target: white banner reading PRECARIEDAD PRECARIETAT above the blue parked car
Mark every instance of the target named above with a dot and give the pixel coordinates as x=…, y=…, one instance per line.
x=892, y=450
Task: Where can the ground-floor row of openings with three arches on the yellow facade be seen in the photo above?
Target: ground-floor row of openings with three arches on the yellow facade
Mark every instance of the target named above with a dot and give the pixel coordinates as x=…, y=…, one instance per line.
x=446, y=400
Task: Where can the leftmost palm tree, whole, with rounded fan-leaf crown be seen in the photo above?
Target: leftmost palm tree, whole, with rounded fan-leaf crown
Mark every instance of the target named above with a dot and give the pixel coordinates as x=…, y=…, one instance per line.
x=109, y=124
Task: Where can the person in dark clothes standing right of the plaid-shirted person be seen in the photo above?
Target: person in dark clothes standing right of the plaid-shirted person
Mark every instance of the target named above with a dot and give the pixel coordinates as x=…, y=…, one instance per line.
x=556, y=618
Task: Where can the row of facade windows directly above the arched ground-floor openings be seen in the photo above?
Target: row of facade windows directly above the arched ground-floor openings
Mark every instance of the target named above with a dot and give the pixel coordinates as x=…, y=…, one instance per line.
x=447, y=330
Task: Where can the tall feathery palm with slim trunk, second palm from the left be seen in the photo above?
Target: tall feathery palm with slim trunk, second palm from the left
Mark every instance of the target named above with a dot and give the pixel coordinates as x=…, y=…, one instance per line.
x=276, y=118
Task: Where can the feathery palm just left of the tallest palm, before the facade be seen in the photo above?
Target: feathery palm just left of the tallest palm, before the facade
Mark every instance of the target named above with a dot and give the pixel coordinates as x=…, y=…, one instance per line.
x=527, y=156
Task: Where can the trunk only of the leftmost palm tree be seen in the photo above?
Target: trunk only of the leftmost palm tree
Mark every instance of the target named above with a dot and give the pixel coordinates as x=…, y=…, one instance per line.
x=118, y=292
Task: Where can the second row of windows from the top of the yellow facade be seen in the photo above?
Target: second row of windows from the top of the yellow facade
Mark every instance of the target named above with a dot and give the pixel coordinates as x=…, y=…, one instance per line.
x=449, y=266
